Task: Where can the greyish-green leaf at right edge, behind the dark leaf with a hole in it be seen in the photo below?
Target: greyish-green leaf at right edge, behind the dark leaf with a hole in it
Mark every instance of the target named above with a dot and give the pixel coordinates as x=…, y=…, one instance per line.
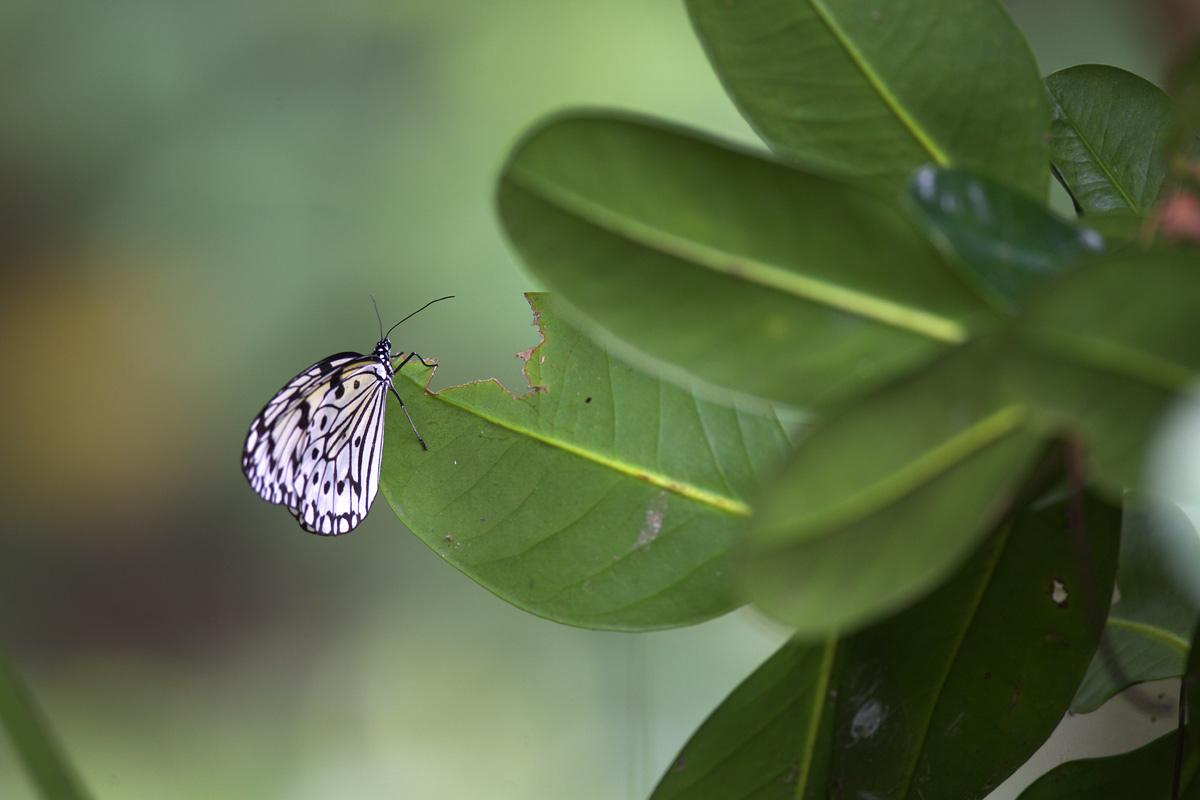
x=1150, y=627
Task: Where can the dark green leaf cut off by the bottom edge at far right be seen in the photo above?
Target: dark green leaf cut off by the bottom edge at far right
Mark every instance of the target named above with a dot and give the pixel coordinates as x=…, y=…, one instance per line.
x=1144, y=774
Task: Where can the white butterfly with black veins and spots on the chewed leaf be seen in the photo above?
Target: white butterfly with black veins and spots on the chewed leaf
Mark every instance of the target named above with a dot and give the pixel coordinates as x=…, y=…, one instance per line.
x=316, y=447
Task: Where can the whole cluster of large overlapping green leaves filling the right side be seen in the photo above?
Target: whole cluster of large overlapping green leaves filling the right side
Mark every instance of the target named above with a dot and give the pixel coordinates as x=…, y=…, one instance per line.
x=982, y=381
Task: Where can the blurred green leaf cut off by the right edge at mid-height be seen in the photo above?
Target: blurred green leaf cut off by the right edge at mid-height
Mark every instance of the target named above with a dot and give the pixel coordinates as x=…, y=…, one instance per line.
x=1107, y=351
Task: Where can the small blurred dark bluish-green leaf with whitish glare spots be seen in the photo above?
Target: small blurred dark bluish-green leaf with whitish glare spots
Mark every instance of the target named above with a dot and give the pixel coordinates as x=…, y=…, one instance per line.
x=1006, y=243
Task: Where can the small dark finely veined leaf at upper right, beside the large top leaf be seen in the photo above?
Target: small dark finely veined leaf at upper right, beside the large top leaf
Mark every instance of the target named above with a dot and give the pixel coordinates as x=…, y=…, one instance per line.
x=1111, y=131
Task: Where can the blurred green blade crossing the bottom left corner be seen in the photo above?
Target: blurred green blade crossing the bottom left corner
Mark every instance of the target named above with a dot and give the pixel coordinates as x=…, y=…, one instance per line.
x=32, y=738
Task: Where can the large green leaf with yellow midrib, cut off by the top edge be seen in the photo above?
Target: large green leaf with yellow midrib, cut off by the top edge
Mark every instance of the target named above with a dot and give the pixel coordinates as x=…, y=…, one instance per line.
x=875, y=91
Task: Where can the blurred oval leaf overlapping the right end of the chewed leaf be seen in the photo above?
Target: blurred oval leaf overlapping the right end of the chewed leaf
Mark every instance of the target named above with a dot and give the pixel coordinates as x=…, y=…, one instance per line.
x=884, y=500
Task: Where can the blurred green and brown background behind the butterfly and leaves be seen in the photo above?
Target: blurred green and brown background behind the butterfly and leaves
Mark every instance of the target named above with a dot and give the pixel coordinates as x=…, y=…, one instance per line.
x=196, y=201
